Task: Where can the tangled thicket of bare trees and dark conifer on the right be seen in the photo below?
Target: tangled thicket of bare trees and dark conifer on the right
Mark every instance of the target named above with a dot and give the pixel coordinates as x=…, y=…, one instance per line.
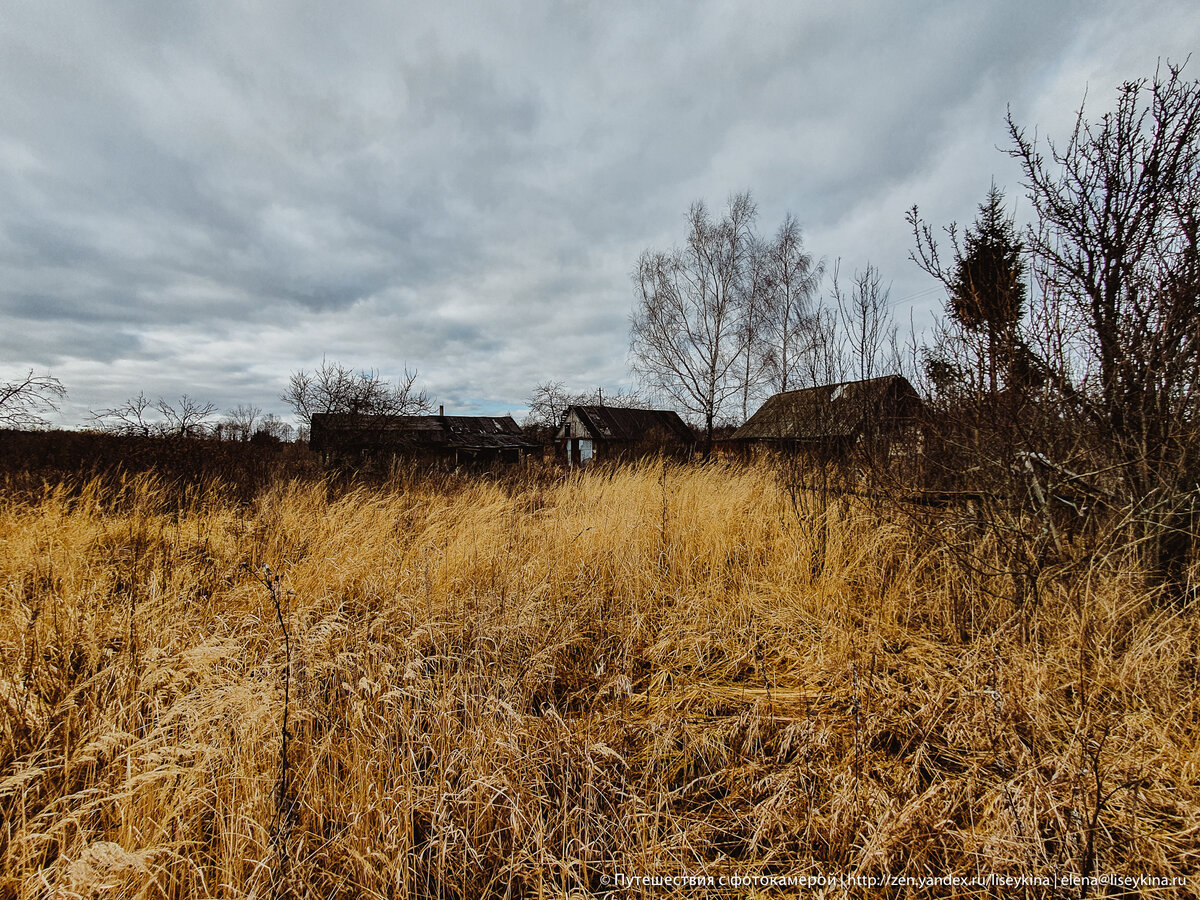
x=1072, y=406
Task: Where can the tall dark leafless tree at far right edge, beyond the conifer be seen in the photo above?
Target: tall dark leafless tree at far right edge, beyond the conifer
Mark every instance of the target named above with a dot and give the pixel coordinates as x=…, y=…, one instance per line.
x=1117, y=249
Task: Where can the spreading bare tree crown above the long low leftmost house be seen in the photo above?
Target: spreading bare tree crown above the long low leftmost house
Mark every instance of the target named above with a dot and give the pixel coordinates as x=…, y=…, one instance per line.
x=334, y=388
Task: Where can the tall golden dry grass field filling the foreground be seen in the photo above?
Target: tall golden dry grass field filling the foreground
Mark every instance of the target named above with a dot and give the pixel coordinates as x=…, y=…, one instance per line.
x=453, y=688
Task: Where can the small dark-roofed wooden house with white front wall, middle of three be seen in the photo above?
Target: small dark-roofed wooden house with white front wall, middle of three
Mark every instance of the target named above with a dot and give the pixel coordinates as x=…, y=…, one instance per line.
x=590, y=434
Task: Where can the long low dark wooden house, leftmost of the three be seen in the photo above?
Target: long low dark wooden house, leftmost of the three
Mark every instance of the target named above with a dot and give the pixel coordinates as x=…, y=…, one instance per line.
x=469, y=441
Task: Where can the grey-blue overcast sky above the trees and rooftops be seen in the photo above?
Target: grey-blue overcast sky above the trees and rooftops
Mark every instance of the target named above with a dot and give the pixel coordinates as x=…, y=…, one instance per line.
x=202, y=199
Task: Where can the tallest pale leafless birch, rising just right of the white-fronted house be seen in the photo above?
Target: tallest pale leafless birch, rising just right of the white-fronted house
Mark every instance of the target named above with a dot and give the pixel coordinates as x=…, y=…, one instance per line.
x=688, y=333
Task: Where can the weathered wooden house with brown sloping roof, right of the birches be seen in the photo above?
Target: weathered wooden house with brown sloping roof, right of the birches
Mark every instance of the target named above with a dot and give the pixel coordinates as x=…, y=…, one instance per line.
x=833, y=419
